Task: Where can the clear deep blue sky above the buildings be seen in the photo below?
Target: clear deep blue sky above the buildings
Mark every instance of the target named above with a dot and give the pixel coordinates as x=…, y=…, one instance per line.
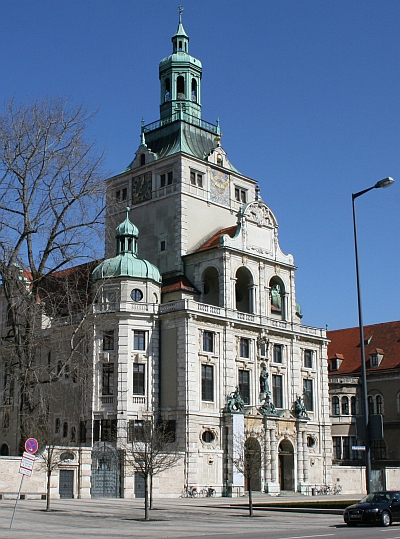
x=307, y=92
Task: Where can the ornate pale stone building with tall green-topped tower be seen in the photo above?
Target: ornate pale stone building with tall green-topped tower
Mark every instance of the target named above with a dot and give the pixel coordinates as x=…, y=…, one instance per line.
x=222, y=327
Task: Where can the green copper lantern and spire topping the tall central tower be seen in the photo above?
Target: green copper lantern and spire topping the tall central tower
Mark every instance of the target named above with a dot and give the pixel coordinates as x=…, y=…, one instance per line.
x=180, y=79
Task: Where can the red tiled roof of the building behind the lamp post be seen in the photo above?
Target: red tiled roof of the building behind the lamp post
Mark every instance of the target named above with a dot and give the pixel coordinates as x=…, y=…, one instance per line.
x=379, y=338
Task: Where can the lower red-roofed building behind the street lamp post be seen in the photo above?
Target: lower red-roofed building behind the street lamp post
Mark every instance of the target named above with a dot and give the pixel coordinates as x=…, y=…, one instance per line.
x=382, y=353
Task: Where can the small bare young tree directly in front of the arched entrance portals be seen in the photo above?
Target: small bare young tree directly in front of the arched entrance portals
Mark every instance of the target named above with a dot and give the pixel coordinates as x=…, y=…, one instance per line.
x=247, y=460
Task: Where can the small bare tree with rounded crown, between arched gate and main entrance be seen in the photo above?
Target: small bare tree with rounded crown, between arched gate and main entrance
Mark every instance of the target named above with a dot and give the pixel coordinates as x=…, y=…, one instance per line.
x=150, y=452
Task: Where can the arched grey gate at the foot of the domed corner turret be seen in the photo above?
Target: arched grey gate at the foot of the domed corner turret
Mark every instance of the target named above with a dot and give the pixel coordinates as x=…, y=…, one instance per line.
x=106, y=471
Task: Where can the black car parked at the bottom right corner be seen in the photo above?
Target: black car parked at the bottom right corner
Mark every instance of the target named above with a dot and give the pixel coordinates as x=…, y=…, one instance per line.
x=380, y=508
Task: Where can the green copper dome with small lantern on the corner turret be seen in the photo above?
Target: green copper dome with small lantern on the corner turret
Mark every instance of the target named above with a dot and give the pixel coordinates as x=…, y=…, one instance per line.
x=126, y=263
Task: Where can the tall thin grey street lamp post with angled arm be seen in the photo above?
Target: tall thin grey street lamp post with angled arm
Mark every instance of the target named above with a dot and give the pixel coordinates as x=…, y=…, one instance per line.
x=382, y=183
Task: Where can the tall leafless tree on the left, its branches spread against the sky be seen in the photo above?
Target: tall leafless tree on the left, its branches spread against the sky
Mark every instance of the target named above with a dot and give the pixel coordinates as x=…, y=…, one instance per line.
x=51, y=205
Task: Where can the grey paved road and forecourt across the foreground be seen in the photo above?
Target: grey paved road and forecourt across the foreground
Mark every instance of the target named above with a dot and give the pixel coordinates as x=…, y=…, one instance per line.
x=182, y=518
